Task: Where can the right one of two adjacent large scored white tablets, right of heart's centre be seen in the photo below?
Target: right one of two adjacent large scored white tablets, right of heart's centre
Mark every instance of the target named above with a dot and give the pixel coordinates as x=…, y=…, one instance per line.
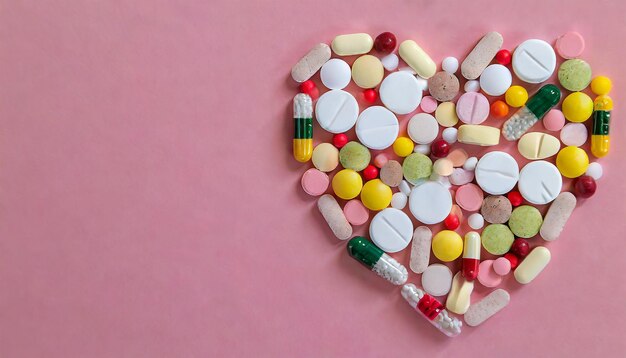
x=540, y=182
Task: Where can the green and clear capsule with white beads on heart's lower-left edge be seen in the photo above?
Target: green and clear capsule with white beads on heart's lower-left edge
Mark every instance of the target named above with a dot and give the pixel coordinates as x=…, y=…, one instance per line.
x=378, y=261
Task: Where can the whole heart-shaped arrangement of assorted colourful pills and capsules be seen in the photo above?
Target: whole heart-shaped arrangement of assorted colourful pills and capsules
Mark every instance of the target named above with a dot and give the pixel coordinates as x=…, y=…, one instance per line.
x=438, y=172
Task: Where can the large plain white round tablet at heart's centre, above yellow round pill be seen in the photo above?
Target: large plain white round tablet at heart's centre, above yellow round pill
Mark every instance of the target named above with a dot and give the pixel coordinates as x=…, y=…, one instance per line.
x=430, y=202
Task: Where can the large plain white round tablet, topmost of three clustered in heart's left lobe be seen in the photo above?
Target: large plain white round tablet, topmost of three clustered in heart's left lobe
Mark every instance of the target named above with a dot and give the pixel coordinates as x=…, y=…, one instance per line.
x=400, y=92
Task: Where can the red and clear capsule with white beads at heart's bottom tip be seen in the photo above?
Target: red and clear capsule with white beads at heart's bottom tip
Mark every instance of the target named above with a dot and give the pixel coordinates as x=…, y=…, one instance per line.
x=432, y=310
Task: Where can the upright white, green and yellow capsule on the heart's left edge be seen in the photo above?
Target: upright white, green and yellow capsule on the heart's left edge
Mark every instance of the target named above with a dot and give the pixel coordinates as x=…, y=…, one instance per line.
x=303, y=119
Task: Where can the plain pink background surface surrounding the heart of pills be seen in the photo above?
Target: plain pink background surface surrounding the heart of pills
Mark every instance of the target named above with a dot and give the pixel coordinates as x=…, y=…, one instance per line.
x=150, y=206
